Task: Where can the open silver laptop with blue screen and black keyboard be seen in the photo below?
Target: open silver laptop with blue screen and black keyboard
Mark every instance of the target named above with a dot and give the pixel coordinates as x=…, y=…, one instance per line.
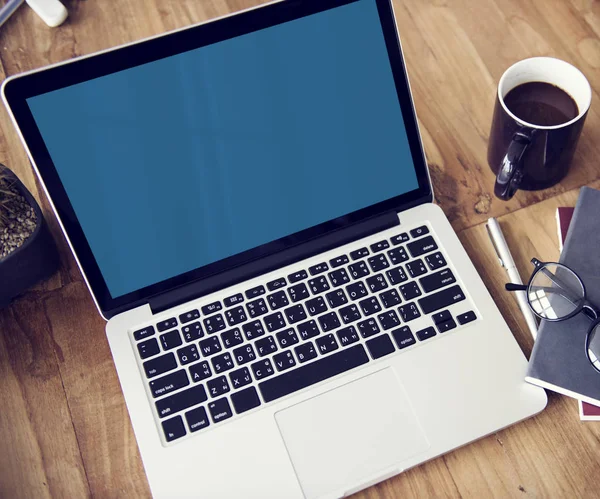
x=248, y=201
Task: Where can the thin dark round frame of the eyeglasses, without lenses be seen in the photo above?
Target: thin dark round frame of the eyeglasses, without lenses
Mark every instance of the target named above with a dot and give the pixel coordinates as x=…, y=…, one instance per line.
x=588, y=308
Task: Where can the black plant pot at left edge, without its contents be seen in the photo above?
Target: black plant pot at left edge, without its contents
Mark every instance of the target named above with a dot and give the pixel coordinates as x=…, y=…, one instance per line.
x=34, y=260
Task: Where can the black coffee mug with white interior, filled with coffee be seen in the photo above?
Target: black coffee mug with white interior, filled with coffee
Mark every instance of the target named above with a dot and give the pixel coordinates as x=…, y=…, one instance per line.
x=540, y=108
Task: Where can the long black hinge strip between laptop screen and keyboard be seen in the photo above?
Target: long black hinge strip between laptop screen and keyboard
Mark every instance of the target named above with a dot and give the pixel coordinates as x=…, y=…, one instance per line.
x=261, y=266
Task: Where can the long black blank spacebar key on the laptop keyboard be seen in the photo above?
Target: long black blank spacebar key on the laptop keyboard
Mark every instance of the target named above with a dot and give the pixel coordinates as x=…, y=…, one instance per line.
x=312, y=373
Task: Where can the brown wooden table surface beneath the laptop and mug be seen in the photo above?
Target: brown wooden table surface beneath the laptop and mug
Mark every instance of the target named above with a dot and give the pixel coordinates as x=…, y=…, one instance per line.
x=64, y=426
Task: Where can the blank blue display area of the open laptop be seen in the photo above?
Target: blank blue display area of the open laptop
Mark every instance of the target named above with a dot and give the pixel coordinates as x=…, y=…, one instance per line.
x=190, y=159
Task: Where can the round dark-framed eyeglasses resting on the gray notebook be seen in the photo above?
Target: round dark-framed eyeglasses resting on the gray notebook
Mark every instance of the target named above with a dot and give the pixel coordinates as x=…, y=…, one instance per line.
x=556, y=293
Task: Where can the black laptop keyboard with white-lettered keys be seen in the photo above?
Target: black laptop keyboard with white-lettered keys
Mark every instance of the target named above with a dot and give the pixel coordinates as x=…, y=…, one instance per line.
x=231, y=356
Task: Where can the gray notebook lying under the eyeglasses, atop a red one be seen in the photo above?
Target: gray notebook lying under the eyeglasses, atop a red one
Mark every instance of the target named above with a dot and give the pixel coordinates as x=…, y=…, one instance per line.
x=558, y=361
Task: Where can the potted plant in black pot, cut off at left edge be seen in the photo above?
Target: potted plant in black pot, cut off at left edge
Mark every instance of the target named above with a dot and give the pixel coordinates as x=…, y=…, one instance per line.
x=27, y=251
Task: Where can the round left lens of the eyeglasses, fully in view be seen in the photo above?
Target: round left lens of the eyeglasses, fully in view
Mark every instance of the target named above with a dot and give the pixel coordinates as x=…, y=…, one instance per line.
x=555, y=292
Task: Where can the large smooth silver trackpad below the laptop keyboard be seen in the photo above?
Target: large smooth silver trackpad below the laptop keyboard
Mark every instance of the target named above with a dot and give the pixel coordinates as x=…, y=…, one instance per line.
x=353, y=434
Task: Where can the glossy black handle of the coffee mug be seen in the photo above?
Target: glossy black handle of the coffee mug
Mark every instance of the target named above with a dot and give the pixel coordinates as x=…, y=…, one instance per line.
x=510, y=172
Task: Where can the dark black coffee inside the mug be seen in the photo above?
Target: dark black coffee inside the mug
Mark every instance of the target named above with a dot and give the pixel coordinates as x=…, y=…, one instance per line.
x=541, y=103
